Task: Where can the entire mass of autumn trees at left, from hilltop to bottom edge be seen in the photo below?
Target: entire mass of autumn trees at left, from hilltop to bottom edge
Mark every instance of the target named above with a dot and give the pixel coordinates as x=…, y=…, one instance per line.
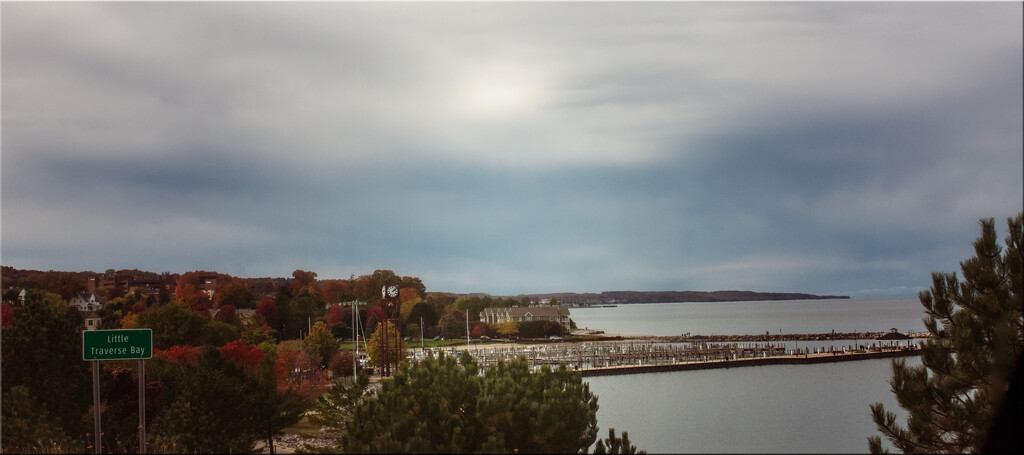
x=230, y=368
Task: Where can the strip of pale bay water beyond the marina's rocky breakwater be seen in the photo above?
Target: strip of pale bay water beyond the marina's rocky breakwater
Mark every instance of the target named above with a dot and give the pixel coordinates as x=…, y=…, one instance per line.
x=751, y=318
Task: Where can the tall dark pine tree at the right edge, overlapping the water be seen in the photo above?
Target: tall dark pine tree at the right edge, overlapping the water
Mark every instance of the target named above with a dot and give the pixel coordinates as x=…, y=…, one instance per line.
x=968, y=361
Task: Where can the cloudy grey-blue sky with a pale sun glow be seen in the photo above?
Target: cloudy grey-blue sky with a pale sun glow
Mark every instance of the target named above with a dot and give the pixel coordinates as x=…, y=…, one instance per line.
x=844, y=149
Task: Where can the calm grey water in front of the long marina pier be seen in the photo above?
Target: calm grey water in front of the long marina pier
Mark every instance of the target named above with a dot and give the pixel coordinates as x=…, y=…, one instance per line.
x=770, y=409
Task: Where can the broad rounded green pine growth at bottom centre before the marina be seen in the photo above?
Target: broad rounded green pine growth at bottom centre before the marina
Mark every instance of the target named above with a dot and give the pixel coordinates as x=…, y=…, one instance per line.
x=442, y=405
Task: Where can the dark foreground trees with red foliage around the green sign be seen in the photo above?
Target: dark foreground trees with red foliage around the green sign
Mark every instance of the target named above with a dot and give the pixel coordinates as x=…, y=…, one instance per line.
x=211, y=386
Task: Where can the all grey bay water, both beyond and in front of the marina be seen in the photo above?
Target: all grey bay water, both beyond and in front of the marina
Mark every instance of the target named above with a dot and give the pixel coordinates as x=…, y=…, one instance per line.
x=770, y=409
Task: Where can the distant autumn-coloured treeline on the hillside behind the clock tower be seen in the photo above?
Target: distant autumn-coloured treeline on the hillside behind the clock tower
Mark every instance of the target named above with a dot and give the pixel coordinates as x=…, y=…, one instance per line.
x=286, y=309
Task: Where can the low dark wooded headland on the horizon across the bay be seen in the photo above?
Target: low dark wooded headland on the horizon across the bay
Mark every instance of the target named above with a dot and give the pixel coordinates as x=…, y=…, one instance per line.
x=674, y=297
